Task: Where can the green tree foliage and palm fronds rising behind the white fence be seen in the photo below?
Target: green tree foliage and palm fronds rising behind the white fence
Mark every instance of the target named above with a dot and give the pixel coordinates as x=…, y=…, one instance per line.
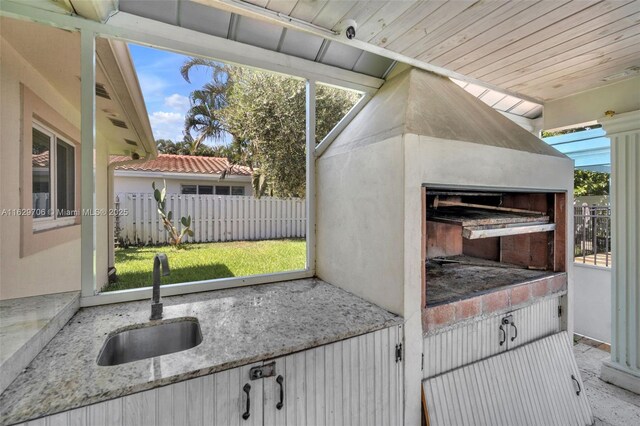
x=265, y=114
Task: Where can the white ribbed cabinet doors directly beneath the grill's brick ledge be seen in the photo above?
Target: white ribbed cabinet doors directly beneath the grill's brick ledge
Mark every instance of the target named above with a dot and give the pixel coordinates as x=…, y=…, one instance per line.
x=480, y=339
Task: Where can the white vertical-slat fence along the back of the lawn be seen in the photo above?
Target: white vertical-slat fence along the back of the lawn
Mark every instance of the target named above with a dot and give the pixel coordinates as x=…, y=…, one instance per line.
x=213, y=218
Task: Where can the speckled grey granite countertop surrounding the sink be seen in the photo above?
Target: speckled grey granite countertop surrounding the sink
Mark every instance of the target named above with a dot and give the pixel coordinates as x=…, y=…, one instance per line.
x=239, y=326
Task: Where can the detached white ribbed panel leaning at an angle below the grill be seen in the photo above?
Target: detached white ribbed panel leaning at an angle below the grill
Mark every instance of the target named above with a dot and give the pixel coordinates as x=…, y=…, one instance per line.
x=530, y=385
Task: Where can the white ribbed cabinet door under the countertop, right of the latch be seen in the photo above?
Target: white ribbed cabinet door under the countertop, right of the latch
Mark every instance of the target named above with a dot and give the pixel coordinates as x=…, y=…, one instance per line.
x=352, y=382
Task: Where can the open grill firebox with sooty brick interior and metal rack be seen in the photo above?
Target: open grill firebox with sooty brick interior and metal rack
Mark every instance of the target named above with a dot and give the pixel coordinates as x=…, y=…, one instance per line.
x=477, y=242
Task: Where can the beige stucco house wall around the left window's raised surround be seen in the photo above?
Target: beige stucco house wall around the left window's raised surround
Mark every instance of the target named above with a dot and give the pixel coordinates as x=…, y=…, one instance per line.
x=48, y=271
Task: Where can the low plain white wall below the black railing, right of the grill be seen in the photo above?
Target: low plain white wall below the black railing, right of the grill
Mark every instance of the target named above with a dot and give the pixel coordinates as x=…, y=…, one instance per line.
x=592, y=301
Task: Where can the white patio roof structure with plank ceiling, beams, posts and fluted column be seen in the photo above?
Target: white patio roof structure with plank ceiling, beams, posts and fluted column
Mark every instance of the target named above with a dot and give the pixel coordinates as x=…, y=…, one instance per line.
x=543, y=64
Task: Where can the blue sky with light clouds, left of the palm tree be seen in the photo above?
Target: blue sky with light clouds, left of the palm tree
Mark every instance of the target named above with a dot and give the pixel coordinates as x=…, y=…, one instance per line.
x=165, y=92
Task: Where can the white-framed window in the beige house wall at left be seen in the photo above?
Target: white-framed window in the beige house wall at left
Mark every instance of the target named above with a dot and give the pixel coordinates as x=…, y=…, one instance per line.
x=53, y=178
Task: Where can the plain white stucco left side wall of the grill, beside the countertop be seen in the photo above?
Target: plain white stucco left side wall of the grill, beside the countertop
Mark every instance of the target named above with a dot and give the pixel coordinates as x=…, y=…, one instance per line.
x=359, y=222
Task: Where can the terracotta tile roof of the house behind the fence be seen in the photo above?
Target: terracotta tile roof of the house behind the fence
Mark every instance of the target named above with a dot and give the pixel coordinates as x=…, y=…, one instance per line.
x=183, y=164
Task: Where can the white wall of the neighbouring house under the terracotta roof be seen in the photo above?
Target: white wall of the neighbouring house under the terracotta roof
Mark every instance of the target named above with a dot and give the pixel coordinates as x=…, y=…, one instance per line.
x=143, y=184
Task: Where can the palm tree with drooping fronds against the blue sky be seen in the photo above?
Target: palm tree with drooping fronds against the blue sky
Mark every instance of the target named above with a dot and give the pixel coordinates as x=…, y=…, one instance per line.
x=203, y=116
